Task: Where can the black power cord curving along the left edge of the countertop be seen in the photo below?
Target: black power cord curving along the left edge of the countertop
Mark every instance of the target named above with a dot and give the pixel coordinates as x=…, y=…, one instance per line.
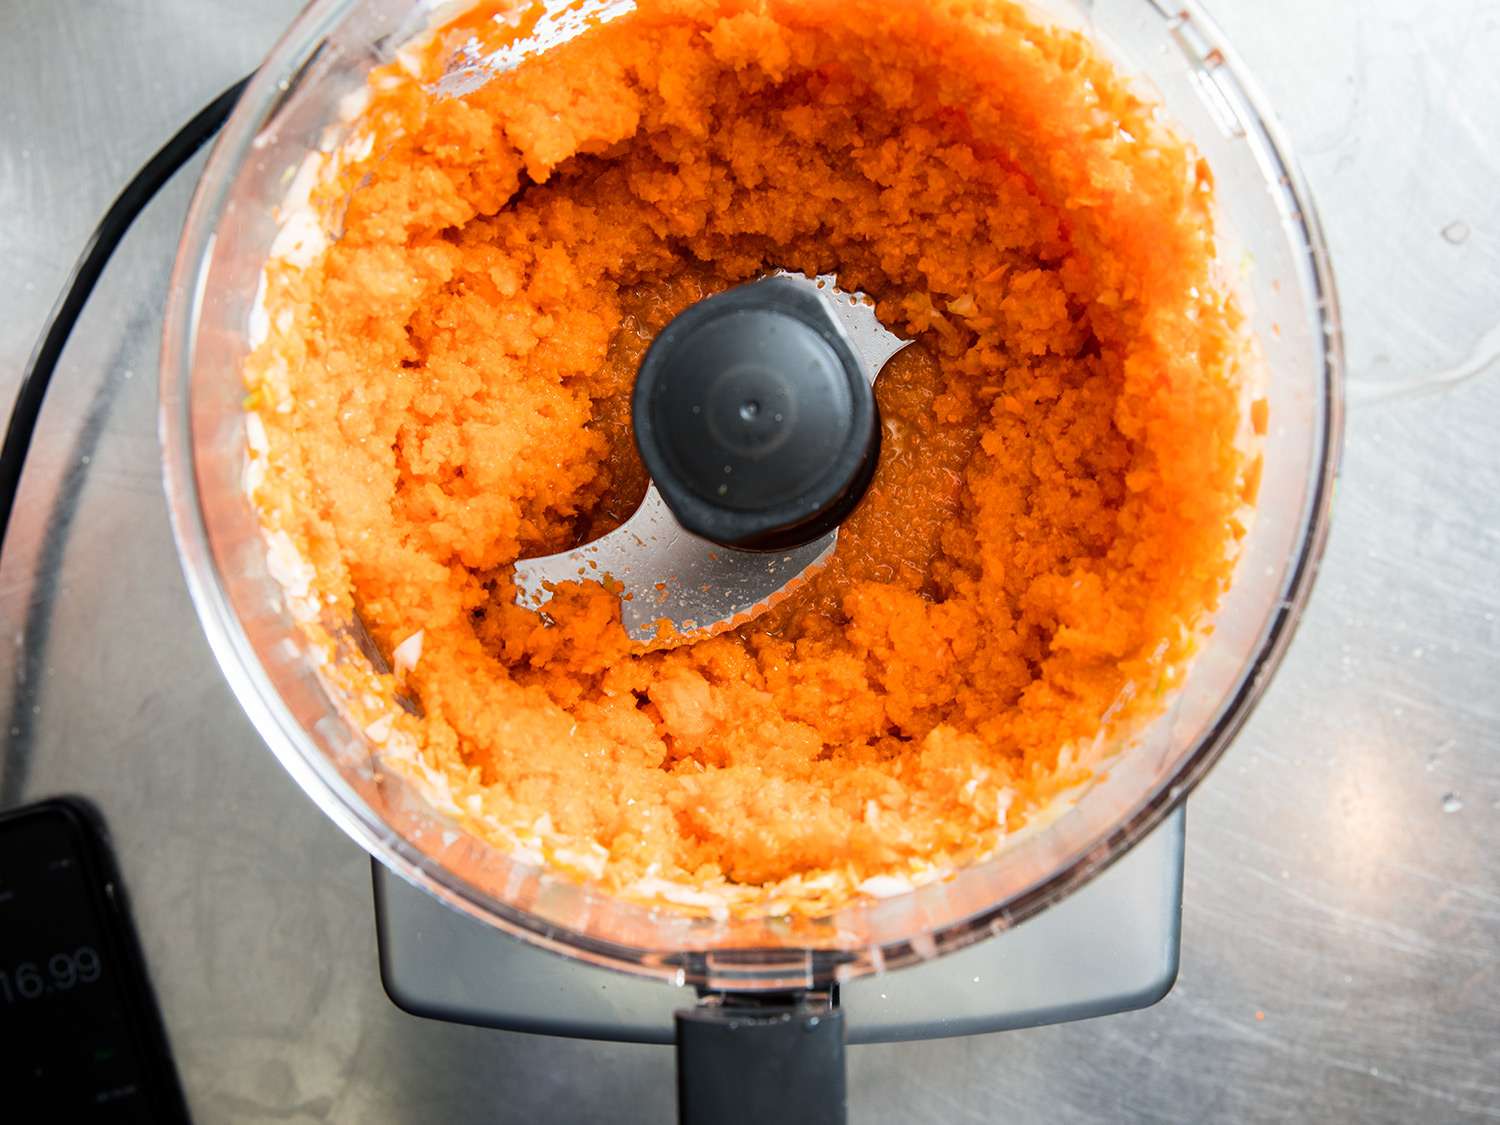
x=88, y=271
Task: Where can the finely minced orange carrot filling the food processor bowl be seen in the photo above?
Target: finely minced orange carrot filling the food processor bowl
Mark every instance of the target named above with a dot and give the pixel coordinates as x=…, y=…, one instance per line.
x=1060, y=475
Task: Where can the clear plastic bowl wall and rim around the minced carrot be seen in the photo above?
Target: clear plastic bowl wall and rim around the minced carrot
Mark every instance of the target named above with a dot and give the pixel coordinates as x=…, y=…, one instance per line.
x=1268, y=230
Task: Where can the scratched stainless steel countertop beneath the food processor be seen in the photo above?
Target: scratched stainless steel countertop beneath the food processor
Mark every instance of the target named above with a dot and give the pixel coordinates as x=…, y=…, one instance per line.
x=1342, y=937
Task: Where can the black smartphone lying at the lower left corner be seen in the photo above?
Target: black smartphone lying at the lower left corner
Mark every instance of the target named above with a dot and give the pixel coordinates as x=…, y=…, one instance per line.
x=80, y=1034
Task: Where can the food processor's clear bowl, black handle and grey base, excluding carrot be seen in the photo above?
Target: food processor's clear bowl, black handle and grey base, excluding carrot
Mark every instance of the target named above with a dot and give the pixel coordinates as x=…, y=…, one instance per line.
x=776, y=1003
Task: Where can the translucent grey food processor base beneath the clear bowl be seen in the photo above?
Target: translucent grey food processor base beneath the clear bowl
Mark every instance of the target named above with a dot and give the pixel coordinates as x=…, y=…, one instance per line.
x=1108, y=949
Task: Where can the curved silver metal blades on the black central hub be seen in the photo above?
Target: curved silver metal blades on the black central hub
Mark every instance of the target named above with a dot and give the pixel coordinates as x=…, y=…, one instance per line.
x=667, y=574
